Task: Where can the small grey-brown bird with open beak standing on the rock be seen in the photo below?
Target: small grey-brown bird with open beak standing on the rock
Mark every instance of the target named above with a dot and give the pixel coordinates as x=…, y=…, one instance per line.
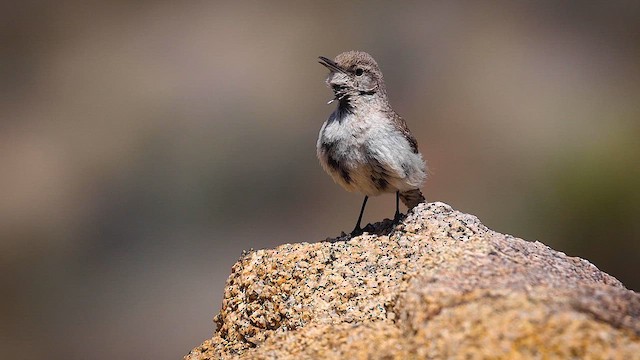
x=364, y=145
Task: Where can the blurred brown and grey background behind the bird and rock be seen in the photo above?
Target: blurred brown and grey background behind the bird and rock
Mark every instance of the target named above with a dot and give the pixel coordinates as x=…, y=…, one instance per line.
x=145, y=144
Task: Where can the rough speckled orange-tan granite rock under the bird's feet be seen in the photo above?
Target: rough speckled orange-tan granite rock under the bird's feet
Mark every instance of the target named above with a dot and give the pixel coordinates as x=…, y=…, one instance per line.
x=439, y=285
